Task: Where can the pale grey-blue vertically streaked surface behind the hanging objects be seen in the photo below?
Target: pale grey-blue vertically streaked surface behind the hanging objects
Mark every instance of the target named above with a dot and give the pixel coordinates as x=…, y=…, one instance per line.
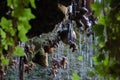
x=81, y=67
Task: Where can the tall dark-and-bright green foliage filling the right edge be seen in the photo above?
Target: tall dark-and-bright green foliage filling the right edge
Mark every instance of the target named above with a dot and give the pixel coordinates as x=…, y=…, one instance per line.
x=108, y=35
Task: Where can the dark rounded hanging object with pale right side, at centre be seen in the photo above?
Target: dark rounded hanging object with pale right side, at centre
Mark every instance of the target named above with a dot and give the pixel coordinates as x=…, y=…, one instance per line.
x=68, y=35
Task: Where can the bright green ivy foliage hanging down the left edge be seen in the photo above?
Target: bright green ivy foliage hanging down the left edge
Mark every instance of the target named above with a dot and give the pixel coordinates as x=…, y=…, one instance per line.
x=15, y=27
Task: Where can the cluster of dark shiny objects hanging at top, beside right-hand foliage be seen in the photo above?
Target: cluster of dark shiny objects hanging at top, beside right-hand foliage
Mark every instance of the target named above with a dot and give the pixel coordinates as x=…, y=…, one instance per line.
x=82, y=15
